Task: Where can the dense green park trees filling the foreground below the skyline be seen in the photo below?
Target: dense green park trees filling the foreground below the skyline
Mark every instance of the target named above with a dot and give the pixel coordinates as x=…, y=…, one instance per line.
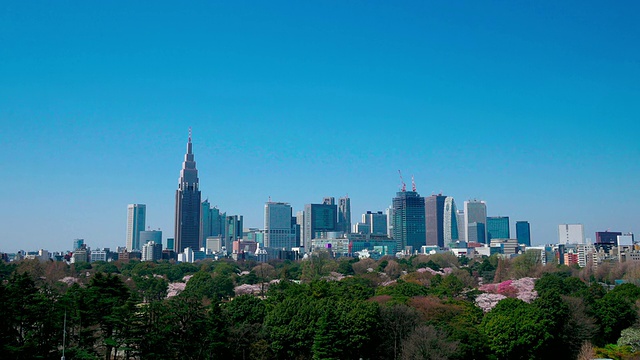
x=318, y=308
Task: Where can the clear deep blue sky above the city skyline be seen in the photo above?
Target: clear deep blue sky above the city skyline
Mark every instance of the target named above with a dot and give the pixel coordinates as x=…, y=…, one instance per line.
x=533, y=107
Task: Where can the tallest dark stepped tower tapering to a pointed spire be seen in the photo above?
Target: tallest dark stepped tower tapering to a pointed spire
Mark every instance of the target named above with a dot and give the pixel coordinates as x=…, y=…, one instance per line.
x=187, y=229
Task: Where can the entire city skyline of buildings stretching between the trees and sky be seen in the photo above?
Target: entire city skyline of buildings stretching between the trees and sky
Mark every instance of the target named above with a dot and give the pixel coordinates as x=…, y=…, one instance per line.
x=411, y=225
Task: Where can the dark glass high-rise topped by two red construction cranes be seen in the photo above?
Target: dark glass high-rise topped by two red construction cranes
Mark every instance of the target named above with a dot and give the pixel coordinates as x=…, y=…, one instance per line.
x=409, y=221
